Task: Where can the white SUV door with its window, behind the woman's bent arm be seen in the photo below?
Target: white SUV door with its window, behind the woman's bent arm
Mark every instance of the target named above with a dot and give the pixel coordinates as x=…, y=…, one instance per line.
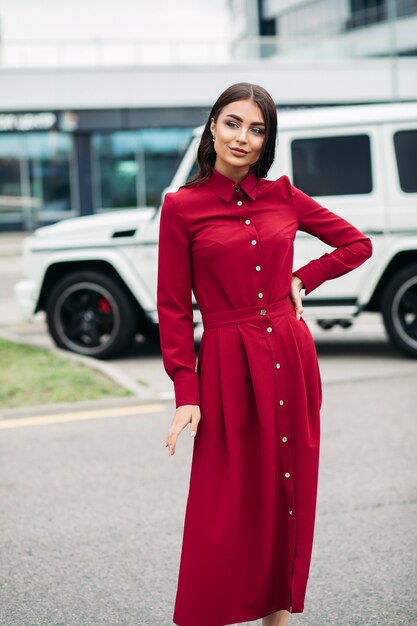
x=342, y=168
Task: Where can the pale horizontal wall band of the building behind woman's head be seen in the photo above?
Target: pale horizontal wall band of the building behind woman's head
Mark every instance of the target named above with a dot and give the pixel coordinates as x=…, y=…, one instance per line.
x=303, y=82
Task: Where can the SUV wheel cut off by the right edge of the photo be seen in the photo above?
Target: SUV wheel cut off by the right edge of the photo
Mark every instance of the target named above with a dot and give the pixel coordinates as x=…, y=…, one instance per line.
x=399, y=310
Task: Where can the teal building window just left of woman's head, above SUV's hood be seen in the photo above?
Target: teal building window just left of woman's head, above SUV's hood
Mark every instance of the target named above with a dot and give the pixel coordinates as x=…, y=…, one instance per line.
x=131, y=168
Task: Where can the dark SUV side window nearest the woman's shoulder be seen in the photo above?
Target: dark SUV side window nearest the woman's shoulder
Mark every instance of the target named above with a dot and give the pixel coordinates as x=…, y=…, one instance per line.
x=332, y=166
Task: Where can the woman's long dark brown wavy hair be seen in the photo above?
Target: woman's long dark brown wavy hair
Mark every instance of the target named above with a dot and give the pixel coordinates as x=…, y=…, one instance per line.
x=206, y=154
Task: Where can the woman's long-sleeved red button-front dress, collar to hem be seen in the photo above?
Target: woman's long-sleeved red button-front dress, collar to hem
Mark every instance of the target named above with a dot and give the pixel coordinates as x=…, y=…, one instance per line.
x=249, y=520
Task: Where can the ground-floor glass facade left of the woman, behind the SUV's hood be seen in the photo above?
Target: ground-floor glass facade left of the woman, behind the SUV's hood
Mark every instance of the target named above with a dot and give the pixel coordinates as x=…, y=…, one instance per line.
x=86, y=163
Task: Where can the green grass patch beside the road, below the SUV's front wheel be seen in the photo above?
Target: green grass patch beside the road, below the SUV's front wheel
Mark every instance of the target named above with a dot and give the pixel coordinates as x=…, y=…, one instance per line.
x=30, y=376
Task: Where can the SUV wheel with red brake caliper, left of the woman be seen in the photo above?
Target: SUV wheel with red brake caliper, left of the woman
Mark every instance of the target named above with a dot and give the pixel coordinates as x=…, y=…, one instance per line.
x=92, y=314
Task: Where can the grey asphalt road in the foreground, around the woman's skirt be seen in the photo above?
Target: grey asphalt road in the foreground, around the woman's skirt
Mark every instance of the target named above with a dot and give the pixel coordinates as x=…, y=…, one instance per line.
x=92, y=513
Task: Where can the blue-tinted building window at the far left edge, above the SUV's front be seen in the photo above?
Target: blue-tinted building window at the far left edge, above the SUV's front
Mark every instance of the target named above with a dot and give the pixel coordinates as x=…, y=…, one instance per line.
x=36, y=174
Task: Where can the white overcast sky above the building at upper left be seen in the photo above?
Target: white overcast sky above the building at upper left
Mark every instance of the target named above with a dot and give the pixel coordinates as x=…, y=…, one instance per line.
x=112, y=19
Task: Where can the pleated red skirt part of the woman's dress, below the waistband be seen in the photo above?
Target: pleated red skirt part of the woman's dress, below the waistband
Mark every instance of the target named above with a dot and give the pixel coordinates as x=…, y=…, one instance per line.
x=250, y=511
